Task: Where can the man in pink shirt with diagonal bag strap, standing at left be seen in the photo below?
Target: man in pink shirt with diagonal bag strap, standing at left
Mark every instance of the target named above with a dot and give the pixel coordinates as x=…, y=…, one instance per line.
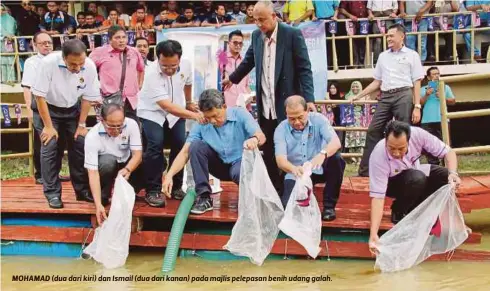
x=108, y=59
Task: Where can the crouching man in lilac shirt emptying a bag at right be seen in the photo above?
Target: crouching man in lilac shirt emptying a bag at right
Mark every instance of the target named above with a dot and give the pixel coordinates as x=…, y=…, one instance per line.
x=395, y=171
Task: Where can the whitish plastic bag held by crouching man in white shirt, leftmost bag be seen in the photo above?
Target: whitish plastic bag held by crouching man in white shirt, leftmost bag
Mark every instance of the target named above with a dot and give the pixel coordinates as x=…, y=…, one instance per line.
x=110, y=245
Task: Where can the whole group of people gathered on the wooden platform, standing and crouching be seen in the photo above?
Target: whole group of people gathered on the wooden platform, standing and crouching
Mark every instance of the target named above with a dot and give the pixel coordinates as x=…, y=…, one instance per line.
x=143, y=105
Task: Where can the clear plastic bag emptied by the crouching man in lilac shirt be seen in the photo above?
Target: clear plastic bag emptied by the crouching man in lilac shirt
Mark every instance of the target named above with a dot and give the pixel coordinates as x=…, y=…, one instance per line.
x=415, y=238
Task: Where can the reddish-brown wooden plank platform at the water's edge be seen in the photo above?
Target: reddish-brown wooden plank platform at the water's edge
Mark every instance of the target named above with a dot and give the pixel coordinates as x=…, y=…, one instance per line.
x=22, y=196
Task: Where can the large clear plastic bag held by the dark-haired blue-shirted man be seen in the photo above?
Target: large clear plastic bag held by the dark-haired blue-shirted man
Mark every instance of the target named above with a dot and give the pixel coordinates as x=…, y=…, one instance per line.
x=259, y=211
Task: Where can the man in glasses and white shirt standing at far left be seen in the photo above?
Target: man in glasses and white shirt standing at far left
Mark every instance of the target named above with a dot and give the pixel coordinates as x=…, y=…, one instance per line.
x=44, y=46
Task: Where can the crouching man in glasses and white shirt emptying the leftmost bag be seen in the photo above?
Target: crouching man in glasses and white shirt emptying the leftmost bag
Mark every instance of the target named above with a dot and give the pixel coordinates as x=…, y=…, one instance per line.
x=112, y=147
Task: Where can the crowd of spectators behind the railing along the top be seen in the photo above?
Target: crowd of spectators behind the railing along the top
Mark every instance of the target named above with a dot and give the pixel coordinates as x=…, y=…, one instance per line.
x=358, y=25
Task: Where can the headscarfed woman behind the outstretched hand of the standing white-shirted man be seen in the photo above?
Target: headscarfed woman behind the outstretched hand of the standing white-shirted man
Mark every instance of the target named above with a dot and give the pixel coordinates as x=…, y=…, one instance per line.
x=355, y=140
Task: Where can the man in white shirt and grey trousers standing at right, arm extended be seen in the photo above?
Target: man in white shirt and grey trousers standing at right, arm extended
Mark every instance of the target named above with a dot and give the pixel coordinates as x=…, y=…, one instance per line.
x=398, y=74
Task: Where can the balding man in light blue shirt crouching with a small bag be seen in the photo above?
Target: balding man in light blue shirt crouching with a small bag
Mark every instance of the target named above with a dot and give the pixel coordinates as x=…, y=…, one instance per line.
x=308, y=137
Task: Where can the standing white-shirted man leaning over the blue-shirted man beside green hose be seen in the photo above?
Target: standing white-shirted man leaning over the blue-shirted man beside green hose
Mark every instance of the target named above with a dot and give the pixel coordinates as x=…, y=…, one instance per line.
x=165, y=101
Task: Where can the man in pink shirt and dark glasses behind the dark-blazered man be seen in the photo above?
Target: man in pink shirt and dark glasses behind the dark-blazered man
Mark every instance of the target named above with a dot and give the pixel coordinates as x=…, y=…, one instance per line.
x=235, y=43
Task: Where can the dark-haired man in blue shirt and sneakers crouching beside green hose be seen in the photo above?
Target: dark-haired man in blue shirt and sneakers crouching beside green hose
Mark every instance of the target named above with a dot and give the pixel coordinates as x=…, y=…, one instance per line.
x=215, y=147
